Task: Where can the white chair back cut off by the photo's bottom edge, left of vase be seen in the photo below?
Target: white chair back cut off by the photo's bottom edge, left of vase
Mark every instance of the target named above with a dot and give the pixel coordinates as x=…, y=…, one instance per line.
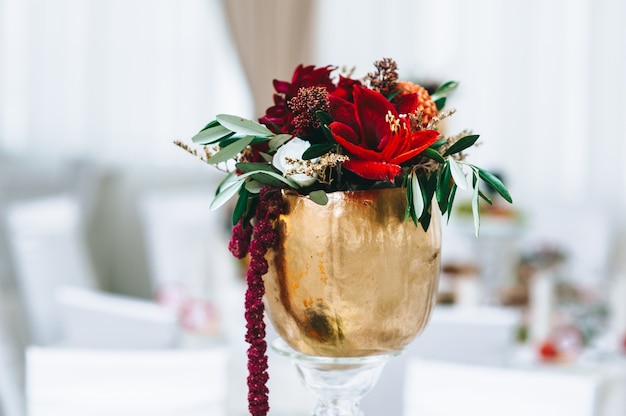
x=79, y=382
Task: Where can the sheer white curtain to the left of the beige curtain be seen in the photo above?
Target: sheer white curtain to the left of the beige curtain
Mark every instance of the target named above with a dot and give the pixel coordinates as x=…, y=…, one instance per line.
x=114, y=80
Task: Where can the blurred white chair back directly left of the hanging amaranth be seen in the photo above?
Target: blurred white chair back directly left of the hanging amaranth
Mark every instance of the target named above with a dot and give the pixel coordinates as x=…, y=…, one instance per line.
x=186, y=242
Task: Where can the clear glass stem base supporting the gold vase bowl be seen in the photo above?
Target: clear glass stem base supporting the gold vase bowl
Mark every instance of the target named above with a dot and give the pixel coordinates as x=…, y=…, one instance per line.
x=339, y=383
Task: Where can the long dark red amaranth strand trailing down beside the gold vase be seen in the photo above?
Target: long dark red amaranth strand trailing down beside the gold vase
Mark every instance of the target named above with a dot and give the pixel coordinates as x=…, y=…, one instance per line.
x=269, y=207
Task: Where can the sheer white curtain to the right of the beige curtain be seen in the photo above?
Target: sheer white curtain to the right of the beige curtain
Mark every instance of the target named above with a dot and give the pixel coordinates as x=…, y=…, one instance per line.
x=541, y=81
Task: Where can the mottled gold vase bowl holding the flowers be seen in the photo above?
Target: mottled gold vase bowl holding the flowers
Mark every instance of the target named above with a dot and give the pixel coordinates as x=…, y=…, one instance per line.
x=352, y=278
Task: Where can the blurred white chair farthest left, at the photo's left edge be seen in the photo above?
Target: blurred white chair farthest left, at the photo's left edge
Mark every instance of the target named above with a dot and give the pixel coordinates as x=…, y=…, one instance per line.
x=48, y=251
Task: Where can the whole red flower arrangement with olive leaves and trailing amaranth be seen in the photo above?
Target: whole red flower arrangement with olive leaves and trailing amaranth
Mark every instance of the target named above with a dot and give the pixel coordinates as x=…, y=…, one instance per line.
x=329, y=132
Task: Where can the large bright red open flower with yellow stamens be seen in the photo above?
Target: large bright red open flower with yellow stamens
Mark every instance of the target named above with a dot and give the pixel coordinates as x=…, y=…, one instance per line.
x=377, y=138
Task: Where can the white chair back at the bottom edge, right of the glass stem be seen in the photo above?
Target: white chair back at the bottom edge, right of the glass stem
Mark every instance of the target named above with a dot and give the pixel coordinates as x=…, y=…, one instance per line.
x=436, y=388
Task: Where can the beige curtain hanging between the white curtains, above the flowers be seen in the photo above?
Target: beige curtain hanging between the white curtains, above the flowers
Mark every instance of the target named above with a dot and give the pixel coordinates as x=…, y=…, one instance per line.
x=272, y=37
